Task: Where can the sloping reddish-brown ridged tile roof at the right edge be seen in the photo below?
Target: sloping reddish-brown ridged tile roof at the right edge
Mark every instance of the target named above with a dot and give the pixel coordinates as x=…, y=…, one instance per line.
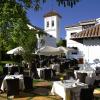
x=88, y=33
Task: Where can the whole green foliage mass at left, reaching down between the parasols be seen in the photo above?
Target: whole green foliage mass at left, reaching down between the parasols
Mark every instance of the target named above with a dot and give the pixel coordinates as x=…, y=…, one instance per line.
x=14, y=30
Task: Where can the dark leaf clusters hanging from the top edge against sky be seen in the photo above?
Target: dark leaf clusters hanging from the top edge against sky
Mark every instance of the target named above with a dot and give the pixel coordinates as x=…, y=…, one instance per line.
x=36, y=4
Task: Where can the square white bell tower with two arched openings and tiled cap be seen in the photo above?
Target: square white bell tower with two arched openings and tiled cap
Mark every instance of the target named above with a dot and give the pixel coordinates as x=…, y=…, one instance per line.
x=52, y=24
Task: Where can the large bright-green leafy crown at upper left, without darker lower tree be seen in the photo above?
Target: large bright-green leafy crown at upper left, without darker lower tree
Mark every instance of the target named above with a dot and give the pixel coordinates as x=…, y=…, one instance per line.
x=12, y=20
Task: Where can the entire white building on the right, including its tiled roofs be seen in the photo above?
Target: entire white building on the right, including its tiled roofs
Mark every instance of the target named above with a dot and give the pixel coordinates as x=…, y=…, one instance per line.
x=86, y=37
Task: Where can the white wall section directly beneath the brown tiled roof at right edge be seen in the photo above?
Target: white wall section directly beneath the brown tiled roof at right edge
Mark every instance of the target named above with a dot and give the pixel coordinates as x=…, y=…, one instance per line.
x=91, y=49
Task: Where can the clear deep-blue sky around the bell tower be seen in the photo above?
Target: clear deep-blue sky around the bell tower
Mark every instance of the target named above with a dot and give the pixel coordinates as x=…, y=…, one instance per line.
x=84, y=10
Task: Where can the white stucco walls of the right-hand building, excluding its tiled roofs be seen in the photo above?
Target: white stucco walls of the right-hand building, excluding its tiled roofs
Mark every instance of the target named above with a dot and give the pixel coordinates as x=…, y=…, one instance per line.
x=90, y=48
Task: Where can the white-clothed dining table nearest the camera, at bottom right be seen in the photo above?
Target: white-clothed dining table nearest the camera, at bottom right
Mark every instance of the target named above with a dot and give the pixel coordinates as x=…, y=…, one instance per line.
x=64, y=89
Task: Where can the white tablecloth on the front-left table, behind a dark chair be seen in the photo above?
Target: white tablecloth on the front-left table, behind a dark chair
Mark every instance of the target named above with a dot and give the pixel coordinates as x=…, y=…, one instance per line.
x=21, y=81
